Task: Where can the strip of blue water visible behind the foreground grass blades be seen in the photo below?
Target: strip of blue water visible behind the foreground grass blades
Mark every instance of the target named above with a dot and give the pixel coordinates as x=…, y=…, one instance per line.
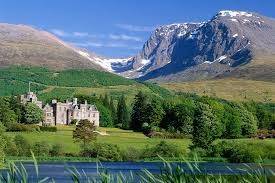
x=59, y=170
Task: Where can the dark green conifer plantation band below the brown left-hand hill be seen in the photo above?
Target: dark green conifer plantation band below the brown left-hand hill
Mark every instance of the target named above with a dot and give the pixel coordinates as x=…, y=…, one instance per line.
x=14, y=80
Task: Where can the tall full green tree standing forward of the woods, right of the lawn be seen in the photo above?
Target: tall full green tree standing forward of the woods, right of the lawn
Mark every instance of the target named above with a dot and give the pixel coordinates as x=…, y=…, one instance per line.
x=205, y=127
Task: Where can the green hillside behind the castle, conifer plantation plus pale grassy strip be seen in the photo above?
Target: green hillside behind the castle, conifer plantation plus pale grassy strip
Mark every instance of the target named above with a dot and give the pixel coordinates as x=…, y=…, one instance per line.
x=65, y=84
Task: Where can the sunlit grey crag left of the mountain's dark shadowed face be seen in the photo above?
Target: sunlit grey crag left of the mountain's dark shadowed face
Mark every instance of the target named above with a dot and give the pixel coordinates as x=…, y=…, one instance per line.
x=157, y=50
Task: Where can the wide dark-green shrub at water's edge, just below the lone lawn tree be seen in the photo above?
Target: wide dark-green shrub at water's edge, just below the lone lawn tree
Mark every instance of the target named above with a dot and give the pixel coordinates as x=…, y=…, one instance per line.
x=102, y=151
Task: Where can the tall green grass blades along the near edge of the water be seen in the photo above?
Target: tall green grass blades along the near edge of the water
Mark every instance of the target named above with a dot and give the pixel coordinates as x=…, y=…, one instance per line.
x=170, y=173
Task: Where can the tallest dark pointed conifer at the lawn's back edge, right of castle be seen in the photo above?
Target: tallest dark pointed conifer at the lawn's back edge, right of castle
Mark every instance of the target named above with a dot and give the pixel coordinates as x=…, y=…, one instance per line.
x=138, y=112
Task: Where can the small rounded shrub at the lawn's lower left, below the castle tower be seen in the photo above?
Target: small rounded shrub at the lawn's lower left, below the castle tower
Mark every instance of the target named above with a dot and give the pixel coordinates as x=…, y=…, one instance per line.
x=23, y=146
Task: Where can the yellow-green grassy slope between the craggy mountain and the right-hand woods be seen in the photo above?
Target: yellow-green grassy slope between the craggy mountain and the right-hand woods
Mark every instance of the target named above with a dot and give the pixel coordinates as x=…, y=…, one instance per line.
x=229, y=89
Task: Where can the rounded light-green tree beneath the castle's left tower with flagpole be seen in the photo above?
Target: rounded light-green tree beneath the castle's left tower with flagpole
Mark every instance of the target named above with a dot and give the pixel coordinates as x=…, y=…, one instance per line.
x=33, y=114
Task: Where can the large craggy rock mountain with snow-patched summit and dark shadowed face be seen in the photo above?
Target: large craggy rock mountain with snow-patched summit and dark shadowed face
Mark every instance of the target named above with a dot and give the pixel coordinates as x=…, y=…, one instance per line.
x=228, y=43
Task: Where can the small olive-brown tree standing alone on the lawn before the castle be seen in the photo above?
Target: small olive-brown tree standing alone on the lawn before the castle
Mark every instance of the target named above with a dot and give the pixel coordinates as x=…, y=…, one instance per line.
x=84, y=132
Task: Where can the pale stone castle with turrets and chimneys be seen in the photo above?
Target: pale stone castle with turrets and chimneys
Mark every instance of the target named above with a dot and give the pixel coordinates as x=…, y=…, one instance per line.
x=58, y=113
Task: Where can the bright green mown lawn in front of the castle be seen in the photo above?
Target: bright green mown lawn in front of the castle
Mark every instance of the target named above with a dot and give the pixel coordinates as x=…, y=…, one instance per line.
x=123, y=138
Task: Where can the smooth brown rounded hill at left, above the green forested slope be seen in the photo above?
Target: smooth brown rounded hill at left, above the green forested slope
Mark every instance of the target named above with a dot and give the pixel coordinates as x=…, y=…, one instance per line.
x=25, y=45
